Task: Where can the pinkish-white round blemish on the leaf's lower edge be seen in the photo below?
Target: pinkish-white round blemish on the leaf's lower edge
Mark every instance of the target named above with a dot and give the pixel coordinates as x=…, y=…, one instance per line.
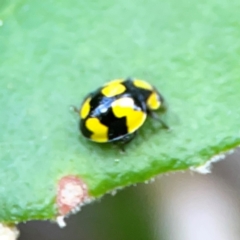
x=72, y=193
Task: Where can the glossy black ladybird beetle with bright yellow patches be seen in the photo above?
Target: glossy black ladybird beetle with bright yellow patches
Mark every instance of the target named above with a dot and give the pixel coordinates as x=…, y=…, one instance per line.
x=115, y=111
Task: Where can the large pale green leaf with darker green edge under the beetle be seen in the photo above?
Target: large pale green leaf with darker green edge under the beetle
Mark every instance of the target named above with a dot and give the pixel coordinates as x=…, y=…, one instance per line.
x=52, y=54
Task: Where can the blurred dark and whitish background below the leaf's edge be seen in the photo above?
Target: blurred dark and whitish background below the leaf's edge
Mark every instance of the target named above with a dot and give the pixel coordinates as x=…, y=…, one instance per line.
x=180, y=206
